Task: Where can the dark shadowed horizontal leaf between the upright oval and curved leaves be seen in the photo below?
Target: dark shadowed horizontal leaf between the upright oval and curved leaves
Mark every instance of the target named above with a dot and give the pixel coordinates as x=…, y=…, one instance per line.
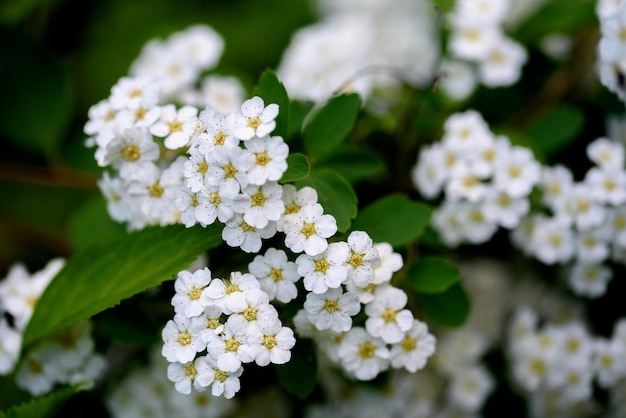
x=356, y=165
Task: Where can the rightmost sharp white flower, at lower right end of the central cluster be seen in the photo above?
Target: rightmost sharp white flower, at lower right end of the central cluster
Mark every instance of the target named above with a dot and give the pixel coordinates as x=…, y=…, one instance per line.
x=414, y=349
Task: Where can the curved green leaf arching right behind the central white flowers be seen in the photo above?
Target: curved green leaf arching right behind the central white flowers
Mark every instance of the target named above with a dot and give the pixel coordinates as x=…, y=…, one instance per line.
x=335, y=194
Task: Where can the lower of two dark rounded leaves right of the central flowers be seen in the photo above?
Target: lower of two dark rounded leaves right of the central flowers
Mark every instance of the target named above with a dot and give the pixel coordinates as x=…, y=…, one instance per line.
x=449, y=309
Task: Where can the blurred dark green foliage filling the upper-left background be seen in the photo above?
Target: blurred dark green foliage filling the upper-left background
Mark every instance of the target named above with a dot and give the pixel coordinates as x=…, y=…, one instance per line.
x=59, y=57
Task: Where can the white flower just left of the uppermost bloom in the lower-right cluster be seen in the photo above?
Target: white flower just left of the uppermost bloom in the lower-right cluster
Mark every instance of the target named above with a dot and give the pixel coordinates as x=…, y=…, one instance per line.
x=326, y=270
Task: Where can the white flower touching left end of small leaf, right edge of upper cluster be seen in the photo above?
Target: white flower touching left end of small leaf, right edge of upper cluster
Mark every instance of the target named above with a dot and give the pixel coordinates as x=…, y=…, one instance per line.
x=265, y=159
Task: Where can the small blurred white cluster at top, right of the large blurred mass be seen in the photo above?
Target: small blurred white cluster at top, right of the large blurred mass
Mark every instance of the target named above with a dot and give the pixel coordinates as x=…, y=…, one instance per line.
x=479, y=50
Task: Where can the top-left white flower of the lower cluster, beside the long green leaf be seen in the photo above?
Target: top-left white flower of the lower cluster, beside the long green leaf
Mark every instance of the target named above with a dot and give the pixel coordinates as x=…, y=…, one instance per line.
x=188, y=287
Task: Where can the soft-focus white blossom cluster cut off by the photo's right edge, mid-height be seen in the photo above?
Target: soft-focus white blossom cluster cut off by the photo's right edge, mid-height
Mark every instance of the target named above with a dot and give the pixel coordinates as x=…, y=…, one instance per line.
x=586, y=224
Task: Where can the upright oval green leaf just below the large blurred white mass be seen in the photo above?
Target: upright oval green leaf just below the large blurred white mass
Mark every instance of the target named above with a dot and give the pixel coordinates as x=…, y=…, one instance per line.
x=331, y=124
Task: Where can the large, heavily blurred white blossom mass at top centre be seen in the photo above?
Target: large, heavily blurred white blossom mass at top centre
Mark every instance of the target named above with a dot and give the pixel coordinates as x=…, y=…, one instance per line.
x=360, y=46
